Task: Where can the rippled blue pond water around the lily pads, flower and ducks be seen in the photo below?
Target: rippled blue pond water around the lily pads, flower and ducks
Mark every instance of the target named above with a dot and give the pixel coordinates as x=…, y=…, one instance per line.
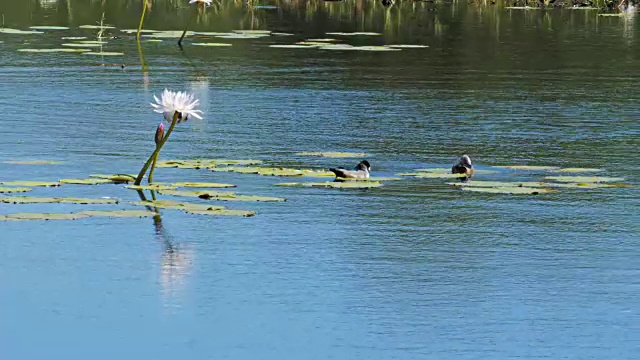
x=415, y=269
